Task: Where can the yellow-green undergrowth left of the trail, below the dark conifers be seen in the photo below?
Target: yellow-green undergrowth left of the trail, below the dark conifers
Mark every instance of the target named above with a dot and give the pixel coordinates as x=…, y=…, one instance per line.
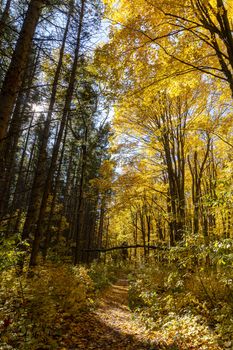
x=34, y=310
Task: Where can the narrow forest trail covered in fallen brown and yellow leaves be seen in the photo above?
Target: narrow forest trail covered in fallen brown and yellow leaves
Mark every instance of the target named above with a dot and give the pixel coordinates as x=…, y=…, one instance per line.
x=111, y=325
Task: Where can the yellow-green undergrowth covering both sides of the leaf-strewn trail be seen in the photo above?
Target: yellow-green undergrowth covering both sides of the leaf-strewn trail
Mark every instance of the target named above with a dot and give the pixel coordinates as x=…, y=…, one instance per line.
x=184, y=297
